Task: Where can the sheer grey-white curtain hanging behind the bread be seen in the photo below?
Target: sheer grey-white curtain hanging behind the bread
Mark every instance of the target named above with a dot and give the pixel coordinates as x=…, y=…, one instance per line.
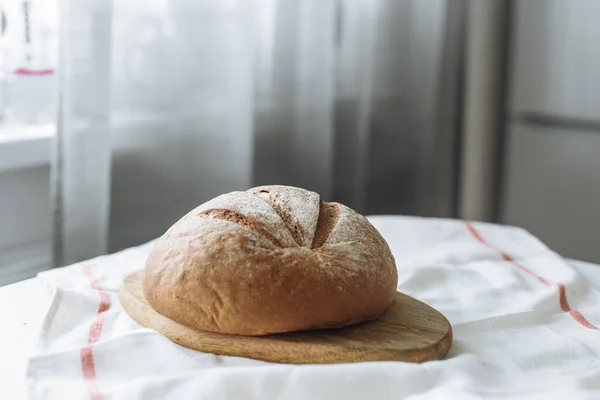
x=165, y=104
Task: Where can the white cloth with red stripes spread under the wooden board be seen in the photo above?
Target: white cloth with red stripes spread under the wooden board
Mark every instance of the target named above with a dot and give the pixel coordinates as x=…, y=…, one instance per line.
x=525, y=324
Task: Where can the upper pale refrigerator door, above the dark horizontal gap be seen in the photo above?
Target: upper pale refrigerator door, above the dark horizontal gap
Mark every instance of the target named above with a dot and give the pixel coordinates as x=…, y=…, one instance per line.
x=556, y=59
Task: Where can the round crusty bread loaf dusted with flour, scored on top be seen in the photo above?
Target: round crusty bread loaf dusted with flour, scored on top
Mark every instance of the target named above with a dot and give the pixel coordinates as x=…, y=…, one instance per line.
x=268, y=260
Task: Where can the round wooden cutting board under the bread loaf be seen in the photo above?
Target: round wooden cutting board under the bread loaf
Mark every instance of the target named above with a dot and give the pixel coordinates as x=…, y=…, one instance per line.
x=408, y=331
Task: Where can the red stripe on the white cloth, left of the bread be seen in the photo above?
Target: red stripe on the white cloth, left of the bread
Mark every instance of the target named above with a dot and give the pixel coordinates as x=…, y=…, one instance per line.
x=87, y=357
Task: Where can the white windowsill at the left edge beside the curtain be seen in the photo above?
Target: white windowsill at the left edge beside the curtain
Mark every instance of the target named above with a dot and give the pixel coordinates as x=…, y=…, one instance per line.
x=23, y=146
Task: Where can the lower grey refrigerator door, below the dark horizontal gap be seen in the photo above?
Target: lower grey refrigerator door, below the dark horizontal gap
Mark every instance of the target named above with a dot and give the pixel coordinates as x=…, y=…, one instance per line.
x=552, y=187
